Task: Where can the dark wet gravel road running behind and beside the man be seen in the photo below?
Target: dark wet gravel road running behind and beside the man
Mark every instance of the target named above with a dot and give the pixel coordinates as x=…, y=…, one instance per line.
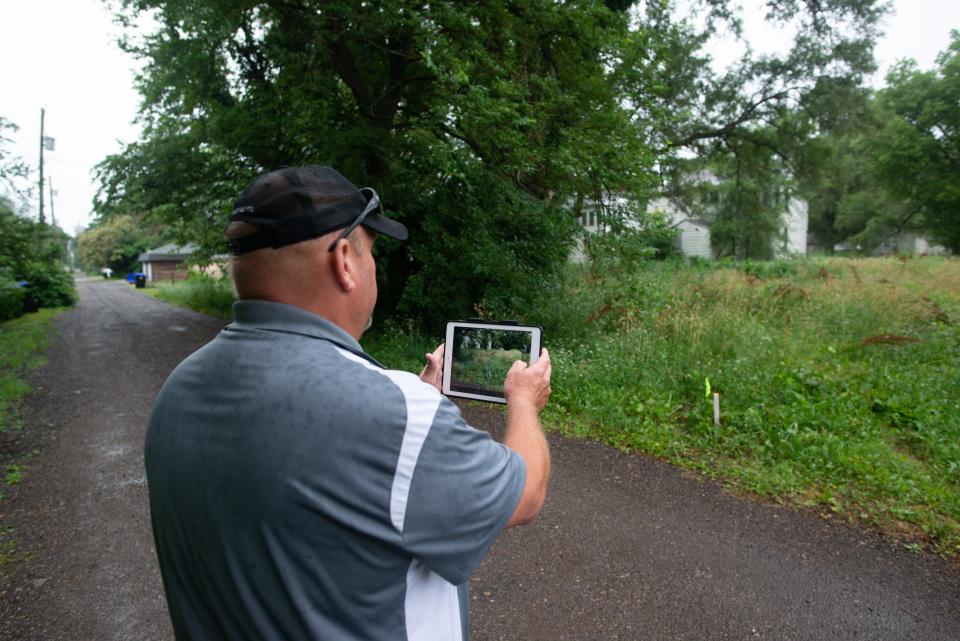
x=626, y=547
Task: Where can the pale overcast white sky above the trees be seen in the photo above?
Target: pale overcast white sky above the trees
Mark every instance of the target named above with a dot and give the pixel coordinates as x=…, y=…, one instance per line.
x=61, y=55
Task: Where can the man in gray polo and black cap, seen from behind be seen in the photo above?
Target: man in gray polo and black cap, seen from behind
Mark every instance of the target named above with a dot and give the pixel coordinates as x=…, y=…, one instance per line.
x=299, y=490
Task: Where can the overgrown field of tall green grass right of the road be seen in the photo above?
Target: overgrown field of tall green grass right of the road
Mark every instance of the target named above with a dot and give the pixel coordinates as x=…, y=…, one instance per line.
x=838, y=379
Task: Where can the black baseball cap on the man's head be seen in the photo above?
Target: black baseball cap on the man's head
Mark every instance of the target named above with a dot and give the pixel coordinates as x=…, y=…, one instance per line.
x=295, y=204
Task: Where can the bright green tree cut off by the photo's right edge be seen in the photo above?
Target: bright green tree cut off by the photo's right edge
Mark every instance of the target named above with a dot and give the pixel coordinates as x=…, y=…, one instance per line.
x=916, y=154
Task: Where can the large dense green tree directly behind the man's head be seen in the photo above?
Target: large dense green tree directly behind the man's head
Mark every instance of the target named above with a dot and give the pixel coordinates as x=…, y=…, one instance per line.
x=476, y=122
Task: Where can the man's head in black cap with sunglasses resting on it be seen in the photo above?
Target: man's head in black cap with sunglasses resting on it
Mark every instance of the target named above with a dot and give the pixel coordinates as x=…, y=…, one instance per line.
x=304, y=236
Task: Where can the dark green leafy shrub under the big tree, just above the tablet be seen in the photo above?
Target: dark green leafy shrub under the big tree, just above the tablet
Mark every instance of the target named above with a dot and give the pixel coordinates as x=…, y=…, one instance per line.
x=474, y=249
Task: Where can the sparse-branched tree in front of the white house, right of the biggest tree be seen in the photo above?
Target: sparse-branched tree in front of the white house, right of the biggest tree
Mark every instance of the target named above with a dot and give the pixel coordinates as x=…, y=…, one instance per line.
x=757, y=126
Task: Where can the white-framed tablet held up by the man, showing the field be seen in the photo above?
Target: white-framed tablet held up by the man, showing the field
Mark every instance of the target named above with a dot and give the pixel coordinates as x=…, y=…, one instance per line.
x=478, y=355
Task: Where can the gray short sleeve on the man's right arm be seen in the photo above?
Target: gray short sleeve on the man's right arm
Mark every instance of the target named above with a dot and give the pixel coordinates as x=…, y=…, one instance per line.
x=464, y=489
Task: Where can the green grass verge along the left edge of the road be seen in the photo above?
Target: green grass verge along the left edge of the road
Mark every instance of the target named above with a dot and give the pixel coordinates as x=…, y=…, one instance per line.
x=23, y=342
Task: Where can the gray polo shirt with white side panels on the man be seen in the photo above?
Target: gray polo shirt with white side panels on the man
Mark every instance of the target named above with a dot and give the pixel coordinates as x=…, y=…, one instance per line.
x=299, y=490
